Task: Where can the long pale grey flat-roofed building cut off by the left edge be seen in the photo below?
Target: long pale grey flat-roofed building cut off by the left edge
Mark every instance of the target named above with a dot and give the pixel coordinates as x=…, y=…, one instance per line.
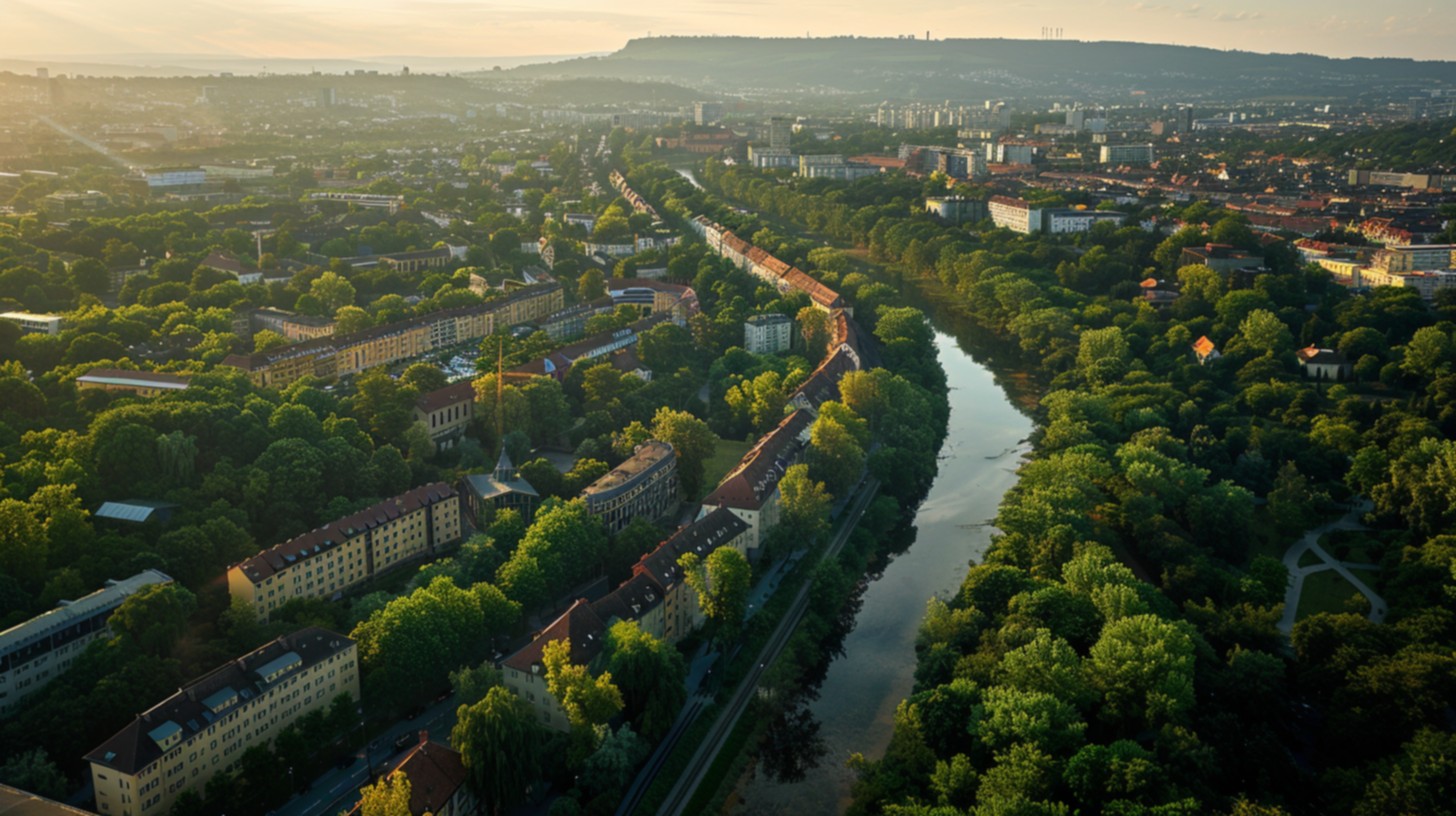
x=37, y=652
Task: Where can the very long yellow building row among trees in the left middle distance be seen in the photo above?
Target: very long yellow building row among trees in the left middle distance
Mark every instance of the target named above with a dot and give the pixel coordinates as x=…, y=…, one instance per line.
x=328, y=358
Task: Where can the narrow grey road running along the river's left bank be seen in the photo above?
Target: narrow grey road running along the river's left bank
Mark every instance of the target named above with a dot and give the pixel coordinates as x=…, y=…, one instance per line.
x=707, y=753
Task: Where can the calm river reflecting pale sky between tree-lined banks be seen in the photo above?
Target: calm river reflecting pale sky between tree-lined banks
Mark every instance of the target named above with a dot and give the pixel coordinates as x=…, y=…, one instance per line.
x=876, y=670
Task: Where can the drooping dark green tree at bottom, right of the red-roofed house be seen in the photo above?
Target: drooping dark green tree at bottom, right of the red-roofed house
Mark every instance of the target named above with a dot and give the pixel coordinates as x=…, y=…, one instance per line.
x=500, y=744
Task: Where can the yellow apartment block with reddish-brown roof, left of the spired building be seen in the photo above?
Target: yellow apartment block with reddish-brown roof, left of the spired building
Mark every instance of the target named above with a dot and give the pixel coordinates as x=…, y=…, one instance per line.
x=327, y=562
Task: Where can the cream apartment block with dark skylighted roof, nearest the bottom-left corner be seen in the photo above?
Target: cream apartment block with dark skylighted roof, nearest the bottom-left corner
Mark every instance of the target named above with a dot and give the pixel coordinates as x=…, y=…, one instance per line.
x=206, y=726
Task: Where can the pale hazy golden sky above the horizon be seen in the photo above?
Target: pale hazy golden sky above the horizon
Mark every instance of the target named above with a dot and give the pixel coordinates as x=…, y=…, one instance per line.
x=362, y=28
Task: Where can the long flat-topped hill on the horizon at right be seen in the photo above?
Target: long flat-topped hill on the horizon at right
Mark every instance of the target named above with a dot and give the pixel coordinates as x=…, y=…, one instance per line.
x=969, y=69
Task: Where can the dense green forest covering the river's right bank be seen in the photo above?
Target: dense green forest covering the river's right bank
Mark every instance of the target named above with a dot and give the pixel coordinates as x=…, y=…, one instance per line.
x=1120, y=648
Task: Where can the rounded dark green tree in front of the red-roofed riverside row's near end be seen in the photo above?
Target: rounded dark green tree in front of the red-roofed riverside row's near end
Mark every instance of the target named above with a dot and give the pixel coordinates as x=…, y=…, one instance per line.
x=652, y=677
